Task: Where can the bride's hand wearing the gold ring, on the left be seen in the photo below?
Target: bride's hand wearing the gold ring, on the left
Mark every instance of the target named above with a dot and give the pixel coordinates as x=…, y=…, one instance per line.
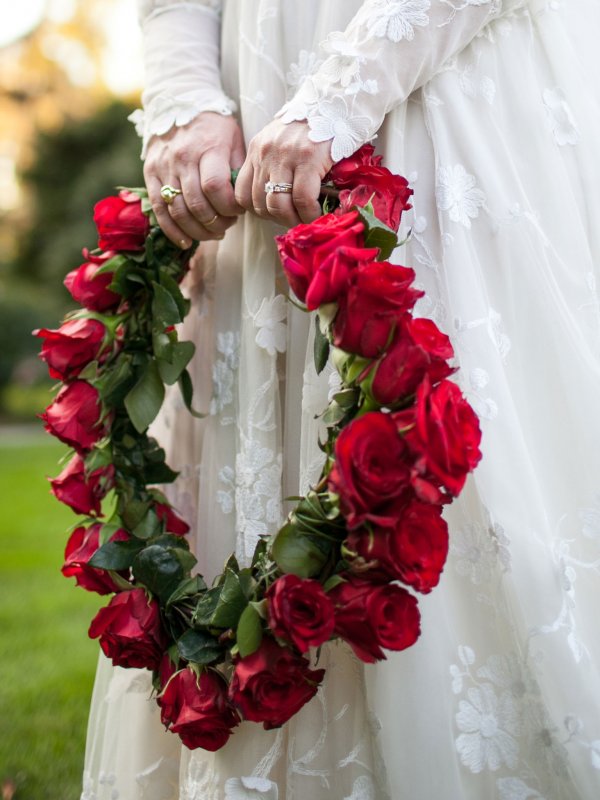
x=197, y=159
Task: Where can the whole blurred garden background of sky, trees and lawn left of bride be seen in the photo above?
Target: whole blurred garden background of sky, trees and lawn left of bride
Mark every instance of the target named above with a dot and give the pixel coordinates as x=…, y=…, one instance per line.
x=70, y=73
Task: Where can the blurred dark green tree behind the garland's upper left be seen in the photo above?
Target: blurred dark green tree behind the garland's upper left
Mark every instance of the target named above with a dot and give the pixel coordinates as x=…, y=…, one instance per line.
x=73, y=167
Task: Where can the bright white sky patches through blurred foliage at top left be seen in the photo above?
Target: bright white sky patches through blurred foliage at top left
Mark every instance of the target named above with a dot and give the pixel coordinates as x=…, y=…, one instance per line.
x=122, y=70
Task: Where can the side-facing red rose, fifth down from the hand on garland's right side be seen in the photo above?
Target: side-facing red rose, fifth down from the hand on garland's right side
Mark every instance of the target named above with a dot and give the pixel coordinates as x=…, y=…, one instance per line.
x=418, y=348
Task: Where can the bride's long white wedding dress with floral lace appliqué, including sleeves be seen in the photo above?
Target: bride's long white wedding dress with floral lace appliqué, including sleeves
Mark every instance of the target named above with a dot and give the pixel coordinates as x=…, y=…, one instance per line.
x=492, y=110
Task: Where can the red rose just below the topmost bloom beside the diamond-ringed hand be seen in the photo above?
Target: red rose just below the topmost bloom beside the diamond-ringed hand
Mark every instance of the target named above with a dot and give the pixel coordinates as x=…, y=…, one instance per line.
x=387, y=193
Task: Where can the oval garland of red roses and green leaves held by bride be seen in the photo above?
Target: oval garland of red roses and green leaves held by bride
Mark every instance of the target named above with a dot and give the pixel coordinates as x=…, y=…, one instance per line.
x=401, y=440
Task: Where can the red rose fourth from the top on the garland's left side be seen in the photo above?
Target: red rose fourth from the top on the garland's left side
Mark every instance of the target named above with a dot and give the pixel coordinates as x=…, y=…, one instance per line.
x=74, y=416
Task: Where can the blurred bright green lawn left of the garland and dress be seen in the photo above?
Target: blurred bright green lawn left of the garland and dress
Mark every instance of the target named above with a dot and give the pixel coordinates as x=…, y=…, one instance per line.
x=47, y=662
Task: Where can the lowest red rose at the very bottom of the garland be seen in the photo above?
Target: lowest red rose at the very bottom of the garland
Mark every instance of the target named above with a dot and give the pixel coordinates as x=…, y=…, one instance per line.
x=196, y=708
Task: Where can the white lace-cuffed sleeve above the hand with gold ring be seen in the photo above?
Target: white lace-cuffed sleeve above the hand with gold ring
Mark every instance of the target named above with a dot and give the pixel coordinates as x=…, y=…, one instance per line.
x=182, y=65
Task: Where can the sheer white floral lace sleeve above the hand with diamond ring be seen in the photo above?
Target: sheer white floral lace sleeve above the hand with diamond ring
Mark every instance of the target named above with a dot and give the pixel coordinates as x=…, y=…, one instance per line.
x=390, y=48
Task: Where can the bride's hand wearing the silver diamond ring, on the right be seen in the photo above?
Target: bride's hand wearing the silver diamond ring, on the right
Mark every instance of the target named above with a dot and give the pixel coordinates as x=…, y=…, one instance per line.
x=284, y=154
